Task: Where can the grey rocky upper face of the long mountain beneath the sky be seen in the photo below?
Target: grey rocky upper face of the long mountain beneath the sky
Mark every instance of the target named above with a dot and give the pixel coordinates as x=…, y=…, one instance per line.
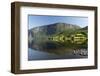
x=55, y=28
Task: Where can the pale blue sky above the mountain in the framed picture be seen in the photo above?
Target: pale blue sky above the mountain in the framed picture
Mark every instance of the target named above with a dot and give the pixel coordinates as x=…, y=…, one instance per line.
x=36, y=20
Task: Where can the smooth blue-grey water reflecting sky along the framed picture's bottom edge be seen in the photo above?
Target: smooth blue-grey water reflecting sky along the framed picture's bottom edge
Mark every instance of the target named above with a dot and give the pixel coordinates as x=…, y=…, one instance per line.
x=40, y=55
